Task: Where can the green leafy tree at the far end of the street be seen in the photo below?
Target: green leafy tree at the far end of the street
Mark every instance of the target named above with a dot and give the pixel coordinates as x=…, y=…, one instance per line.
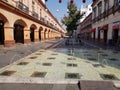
x=71, y=20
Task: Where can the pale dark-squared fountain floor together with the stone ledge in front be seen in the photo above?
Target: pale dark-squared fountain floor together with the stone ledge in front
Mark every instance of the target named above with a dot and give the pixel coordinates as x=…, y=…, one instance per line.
x=60, y=69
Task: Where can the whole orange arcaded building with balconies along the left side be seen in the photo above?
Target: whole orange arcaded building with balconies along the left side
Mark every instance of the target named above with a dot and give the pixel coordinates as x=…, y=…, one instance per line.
x=25, y=21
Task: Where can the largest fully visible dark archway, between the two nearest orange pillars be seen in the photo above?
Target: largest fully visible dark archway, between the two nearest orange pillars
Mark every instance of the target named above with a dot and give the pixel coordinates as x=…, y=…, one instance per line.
x=19, y=26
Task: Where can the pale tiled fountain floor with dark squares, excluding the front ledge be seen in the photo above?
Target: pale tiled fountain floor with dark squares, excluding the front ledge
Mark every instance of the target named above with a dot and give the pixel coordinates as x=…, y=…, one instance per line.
x=66, y=64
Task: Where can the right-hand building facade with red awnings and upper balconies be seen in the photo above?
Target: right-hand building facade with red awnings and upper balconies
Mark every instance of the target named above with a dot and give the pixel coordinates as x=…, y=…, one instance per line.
x=106, y=21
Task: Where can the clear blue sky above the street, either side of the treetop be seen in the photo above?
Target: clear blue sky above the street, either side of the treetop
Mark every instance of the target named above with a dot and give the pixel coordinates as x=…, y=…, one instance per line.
x=60, y=9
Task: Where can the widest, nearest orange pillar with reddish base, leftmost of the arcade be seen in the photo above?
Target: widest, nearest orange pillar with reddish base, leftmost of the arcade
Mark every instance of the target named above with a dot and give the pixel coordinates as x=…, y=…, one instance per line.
x=9, y=37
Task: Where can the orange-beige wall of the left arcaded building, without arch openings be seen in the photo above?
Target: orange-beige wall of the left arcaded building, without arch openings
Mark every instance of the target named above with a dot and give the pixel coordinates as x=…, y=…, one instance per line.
x=10, y=17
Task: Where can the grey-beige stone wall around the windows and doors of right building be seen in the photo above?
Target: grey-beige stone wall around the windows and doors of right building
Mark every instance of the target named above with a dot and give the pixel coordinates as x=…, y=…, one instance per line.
x=107, y=20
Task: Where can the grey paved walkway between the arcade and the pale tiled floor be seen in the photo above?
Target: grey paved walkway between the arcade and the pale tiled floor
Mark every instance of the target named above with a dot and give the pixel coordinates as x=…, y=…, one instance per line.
x=9, y=55
